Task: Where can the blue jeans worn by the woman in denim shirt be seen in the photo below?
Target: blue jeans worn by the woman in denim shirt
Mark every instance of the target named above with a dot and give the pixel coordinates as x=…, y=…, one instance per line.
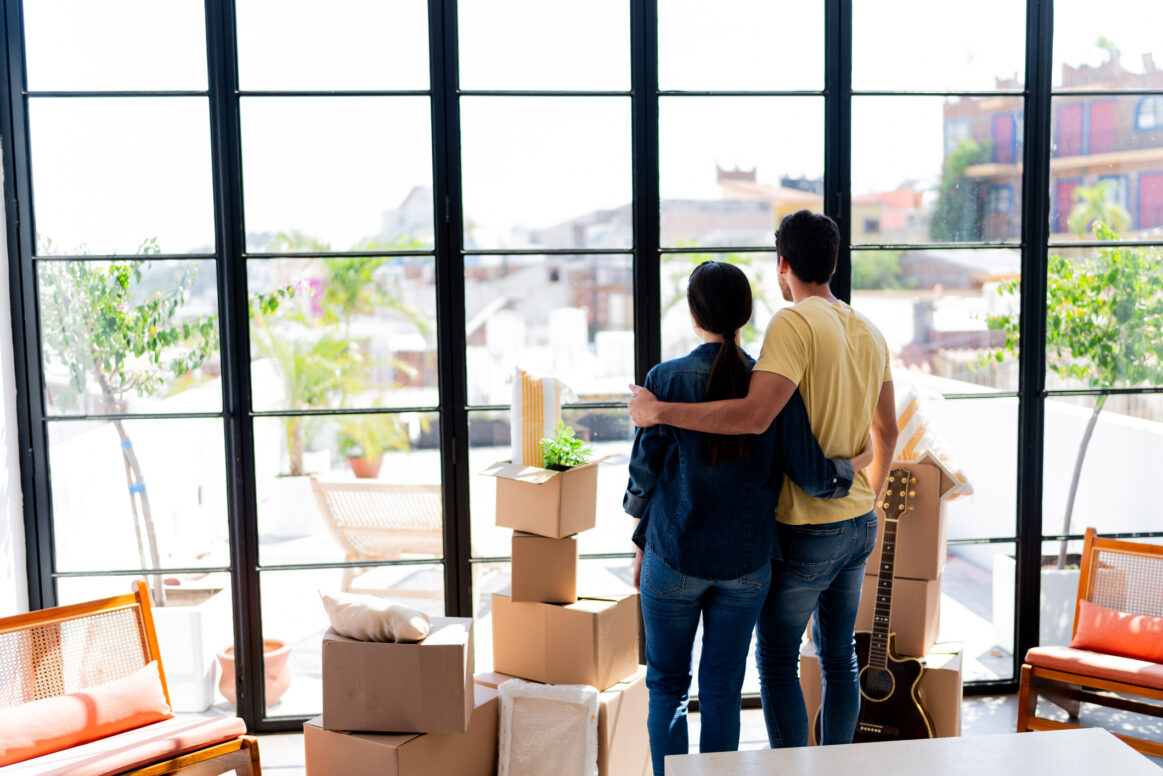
x=672, y=606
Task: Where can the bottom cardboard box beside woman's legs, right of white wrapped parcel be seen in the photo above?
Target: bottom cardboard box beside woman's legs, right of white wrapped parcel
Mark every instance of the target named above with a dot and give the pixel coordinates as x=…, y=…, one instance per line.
x=624, y=747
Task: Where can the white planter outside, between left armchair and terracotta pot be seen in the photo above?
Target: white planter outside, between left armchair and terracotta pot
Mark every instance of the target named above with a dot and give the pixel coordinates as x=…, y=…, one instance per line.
x=189, y=636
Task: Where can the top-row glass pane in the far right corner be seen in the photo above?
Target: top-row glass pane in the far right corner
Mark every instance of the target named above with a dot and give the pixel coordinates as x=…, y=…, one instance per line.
x=1114, y=48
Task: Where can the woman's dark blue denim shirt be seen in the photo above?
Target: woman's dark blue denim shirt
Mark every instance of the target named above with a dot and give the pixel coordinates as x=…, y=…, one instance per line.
x=719, y=523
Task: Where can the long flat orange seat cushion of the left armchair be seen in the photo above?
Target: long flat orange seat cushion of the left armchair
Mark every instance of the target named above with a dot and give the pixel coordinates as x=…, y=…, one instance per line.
x=134, y=749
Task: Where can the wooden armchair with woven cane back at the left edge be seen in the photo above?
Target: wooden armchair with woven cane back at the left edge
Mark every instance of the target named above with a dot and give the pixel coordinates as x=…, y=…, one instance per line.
x=69, y=650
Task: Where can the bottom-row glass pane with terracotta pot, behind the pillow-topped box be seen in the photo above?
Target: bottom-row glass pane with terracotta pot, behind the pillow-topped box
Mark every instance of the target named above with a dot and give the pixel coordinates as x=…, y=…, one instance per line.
x=295, y=624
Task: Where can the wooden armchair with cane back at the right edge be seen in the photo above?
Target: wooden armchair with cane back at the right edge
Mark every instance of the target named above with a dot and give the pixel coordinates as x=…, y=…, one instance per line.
x=1118, y=575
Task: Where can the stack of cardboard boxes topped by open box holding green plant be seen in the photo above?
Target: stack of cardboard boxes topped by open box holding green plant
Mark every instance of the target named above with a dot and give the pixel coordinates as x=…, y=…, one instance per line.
x=545, y=631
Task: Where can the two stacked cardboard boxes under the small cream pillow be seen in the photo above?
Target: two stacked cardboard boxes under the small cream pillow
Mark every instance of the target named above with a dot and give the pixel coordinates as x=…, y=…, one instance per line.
x=404, y=709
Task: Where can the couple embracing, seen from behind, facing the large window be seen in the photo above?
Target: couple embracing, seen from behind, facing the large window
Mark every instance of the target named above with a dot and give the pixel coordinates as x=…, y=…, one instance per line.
x=754, y=485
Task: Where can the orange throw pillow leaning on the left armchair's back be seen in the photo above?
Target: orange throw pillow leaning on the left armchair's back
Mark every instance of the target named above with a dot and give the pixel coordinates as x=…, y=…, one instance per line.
x=53, y=724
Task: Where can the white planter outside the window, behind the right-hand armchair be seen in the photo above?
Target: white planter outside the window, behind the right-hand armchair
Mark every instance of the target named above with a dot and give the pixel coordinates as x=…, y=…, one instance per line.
x=1060, y=590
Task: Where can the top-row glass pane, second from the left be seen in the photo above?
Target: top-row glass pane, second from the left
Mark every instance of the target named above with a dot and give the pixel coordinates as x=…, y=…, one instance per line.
x=358, y=45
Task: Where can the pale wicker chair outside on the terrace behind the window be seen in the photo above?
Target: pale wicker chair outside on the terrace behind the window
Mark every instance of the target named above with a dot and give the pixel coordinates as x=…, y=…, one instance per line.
x=382, y=522
